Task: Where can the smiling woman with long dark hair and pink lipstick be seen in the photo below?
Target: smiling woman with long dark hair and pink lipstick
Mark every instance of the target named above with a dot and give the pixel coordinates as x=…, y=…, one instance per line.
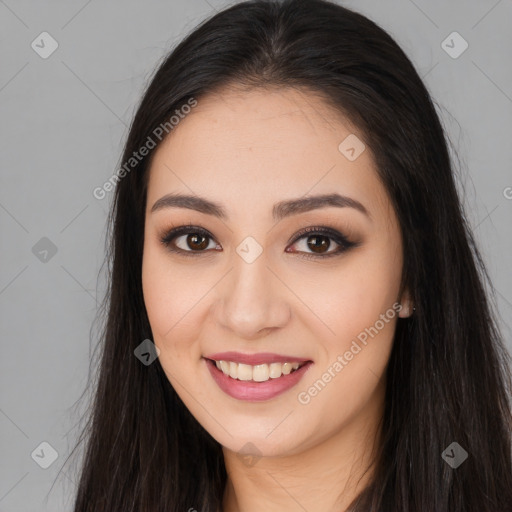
x=297, y=317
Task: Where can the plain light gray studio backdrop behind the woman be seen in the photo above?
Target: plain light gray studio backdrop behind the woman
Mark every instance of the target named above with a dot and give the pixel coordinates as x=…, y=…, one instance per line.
x=63, y=122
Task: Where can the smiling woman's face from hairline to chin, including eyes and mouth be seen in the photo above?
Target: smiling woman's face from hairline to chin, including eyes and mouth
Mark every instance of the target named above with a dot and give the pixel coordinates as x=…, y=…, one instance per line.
x=246, y=279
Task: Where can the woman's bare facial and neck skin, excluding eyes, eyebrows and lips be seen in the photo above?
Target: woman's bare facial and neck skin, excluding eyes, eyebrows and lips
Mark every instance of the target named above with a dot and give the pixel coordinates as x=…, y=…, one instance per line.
x=247, y=150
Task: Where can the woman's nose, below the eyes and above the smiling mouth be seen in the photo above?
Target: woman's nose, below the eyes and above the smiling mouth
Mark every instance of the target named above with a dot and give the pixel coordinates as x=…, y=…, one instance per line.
x=251, y=300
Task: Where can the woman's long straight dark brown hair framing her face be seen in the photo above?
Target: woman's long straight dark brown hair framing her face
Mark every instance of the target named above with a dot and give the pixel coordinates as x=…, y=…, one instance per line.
x=448, y=378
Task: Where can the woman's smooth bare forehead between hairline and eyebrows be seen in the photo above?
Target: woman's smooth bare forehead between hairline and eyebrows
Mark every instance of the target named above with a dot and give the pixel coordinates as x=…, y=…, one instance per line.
x=263, y=144
